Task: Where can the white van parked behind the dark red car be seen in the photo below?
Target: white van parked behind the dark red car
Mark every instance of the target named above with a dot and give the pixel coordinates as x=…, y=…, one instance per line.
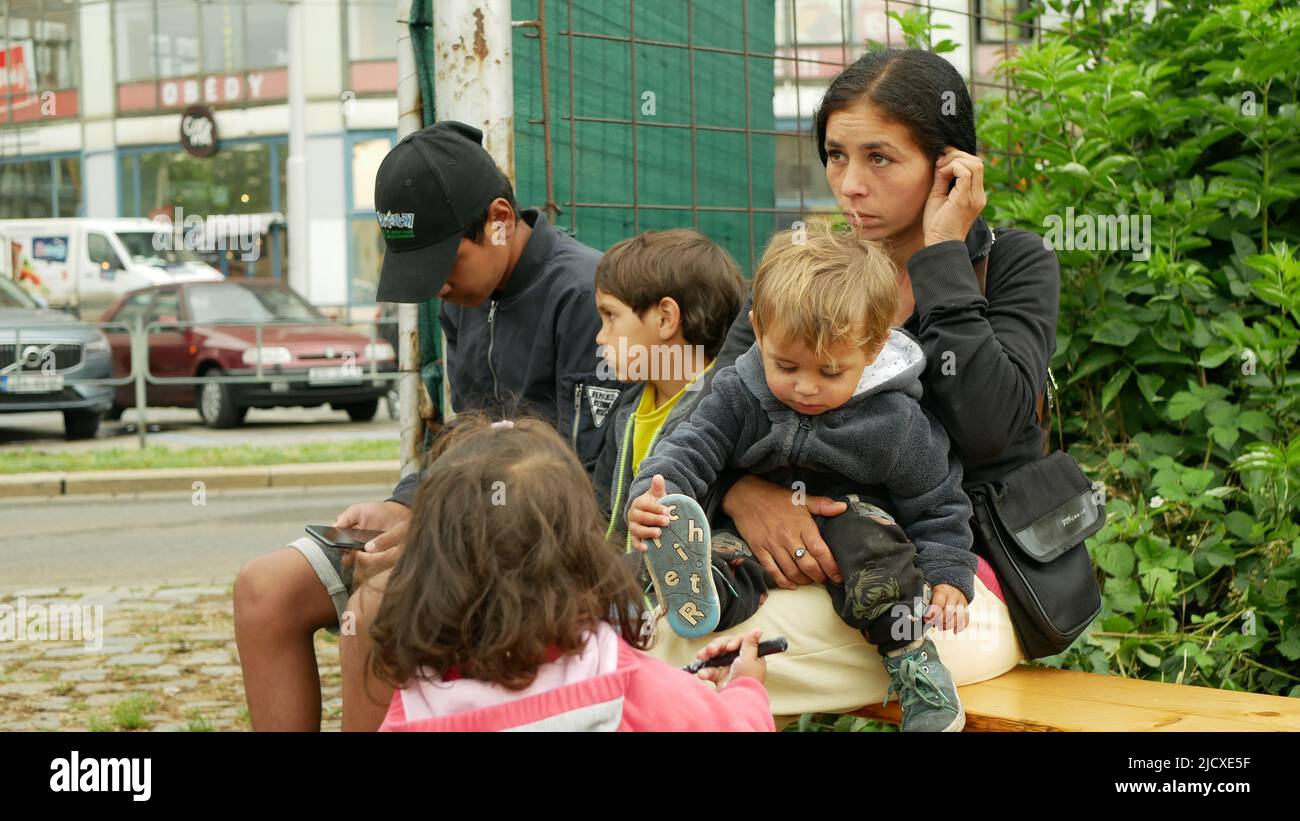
x=86, y=264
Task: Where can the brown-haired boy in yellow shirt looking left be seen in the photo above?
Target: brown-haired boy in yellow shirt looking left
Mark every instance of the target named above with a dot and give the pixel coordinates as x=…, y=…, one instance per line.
x=666, y=302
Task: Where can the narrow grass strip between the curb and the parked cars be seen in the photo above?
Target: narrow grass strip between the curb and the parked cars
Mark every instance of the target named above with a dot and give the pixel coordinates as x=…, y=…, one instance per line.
x=31, y=461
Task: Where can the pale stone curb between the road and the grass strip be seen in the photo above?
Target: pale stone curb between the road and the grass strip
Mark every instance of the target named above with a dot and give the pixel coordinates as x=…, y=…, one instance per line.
x=181, y=480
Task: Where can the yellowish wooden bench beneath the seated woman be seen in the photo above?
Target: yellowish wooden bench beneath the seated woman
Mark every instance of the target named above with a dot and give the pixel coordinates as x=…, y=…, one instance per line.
x=1046, y=700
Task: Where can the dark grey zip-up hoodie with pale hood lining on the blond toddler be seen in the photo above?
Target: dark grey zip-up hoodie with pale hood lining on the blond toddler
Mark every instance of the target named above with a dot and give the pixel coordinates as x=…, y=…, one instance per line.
x=881, y=445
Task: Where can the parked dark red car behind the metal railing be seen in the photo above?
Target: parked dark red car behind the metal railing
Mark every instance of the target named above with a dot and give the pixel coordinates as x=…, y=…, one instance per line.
x=200, y=336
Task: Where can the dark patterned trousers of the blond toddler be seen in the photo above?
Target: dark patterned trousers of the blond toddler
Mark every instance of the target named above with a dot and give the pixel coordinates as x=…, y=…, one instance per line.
x=883, y=593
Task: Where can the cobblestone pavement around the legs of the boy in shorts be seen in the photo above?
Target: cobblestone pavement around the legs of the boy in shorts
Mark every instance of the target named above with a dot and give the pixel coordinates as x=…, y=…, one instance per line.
x=167, y=662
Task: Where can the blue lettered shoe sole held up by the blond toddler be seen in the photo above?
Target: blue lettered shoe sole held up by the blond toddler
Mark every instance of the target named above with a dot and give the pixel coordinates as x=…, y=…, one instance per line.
x=682, y=571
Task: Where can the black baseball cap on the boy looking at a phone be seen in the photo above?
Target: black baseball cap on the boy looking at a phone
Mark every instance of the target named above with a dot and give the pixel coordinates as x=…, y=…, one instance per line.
x=431, y=185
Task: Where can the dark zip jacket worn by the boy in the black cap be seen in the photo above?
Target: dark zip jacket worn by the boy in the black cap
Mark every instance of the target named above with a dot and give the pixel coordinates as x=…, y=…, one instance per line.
x=532, y=347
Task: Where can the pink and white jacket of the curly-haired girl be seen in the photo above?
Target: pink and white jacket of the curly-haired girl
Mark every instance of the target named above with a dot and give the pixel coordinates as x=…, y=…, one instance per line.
x=610, y=687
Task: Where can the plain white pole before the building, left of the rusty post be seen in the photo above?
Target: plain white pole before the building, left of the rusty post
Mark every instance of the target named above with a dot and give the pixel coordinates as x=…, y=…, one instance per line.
x=296, y=166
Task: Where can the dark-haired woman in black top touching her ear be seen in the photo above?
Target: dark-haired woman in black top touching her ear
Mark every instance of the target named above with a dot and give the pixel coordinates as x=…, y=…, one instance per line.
x=896, y=133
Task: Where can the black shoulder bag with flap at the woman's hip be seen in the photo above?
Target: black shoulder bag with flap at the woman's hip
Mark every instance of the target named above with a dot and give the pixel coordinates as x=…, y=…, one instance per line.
x=1030, y=525
